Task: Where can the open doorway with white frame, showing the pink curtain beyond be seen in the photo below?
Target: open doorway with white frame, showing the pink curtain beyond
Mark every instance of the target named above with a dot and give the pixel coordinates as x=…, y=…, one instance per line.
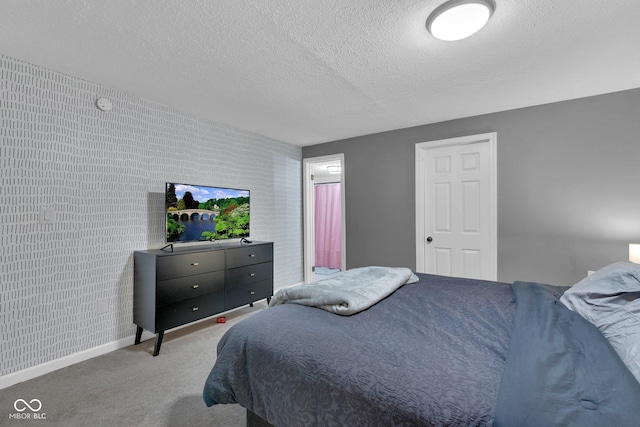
x=324, y=216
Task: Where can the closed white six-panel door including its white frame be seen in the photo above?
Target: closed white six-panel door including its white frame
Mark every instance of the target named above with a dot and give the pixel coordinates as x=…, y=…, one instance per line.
x=456, y=207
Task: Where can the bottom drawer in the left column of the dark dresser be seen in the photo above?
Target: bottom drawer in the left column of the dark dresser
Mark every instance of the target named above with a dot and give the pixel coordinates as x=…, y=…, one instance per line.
x=186, y=311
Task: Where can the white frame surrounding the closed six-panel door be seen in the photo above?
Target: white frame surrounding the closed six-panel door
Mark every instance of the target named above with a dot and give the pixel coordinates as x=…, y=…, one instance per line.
x=422, y=215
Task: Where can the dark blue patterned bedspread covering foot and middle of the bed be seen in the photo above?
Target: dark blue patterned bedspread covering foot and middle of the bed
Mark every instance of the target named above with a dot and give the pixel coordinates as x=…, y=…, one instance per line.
x=430, y=354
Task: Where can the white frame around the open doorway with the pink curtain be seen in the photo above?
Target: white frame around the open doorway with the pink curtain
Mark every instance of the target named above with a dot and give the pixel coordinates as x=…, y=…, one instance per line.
x=308, y=201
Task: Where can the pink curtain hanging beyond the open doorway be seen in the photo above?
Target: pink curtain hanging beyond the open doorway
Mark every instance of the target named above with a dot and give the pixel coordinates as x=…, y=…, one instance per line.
x=328, y=225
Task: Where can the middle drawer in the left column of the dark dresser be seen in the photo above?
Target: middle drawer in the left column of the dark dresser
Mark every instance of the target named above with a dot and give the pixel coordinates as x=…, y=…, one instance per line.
x=168, y=291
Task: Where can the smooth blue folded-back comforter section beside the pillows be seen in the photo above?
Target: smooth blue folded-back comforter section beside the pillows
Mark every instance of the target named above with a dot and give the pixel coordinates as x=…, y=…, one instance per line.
x=561, y=370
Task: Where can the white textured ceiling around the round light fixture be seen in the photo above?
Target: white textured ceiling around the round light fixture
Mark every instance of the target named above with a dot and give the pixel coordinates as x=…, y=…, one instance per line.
x=312, y=71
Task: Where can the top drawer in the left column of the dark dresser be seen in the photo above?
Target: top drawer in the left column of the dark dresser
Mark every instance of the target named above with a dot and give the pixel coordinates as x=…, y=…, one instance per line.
x=169, y=267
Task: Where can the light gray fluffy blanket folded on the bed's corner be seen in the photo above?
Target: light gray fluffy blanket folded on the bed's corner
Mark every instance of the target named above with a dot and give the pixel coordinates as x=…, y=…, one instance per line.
x=348, y=292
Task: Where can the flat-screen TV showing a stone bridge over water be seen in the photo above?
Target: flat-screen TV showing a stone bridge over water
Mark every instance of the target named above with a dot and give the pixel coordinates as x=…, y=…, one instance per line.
x=196, y=213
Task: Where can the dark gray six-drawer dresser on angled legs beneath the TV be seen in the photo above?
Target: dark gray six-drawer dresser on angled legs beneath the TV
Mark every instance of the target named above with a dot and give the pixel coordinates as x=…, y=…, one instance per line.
x=175, y=288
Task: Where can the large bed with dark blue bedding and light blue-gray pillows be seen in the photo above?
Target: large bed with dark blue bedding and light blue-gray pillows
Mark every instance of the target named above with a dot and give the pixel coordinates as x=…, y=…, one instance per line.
x=441, y=351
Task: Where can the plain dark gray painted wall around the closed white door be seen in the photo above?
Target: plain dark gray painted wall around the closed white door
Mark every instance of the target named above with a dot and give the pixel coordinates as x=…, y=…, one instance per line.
x=568, y=196
